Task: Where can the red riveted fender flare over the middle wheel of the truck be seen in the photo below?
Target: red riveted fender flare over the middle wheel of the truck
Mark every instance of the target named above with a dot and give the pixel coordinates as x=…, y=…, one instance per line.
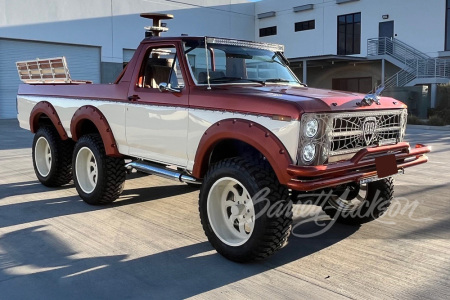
x=93, y=114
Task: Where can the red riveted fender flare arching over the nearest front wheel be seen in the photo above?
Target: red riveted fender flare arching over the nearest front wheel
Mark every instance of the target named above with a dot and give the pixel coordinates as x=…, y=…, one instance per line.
x=248, y=132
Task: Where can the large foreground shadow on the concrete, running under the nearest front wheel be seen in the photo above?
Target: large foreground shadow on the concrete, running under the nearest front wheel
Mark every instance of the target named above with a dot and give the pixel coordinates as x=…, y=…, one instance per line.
x=174, y=274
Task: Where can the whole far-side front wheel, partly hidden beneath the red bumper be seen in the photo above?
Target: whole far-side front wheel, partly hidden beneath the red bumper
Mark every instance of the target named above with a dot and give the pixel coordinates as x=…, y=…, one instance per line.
x=360, y=203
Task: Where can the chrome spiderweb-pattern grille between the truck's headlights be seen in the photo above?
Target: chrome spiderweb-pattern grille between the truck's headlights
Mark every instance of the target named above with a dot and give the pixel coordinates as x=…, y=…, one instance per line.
x=347, y=135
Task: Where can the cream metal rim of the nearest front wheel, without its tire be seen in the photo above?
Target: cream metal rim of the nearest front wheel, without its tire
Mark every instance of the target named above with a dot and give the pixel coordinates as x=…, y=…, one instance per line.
x=231, y=212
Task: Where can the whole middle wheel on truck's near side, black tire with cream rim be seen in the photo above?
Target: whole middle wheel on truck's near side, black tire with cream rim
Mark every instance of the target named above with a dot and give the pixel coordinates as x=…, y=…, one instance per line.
x=99, y=179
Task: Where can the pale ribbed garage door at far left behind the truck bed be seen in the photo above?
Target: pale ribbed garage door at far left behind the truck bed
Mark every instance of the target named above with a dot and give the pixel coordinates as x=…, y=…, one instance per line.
x=83, y=61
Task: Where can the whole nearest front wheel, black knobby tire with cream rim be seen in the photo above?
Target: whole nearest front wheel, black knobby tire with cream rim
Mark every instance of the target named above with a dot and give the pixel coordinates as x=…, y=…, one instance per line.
x=244, y=210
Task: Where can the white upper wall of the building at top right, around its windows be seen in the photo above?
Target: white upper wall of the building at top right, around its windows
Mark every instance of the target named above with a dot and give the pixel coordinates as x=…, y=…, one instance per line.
x=418, y=23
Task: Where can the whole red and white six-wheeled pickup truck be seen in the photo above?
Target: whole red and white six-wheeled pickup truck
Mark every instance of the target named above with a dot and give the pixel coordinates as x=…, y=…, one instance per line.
x=227, y=115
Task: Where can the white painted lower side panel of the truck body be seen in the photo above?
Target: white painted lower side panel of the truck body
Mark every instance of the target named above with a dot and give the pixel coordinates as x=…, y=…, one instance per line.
x=164, y=134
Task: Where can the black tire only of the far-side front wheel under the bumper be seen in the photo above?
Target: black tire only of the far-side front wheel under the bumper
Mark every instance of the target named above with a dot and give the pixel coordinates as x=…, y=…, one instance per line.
x=378, y=198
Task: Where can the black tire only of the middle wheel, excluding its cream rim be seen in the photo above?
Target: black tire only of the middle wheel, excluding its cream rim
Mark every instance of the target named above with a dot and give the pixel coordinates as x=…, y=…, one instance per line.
x=111, y=172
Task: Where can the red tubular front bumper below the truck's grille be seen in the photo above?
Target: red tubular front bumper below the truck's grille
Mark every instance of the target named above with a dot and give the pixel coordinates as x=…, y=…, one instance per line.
x=360, y=167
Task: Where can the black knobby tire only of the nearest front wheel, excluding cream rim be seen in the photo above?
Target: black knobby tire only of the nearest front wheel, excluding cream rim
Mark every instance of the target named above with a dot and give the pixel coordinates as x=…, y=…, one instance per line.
x=271, y=229
